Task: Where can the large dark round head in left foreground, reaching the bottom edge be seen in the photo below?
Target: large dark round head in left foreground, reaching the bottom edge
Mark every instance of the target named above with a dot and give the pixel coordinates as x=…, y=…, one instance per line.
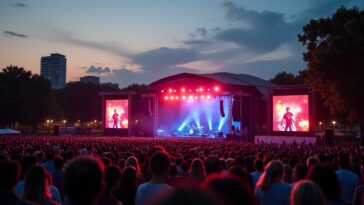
x=84, y=180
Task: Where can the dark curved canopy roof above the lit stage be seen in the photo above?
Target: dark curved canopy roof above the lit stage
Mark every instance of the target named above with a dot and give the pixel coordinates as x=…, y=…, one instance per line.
x=225, y=78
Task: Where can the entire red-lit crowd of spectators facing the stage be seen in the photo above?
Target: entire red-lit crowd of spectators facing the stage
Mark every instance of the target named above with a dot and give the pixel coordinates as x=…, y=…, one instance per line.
x=81, y=170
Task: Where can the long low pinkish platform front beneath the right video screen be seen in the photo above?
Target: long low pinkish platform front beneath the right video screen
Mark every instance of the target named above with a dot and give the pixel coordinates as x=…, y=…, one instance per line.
x=266, y=139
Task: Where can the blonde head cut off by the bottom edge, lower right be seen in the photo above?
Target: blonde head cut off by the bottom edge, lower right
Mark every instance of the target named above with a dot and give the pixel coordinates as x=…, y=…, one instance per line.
x=306, y=192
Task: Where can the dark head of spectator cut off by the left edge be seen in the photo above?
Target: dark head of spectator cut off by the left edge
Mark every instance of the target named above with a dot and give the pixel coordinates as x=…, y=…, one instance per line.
x=9, y=175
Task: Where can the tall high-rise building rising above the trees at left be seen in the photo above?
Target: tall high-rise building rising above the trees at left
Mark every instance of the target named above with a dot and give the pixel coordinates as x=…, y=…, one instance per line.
x=53, y=67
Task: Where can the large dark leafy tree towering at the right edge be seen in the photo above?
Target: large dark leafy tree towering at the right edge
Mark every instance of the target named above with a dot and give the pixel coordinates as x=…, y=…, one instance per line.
x=335, y=61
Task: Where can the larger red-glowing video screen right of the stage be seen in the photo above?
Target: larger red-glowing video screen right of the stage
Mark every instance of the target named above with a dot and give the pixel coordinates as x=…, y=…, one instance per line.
x=291, y=113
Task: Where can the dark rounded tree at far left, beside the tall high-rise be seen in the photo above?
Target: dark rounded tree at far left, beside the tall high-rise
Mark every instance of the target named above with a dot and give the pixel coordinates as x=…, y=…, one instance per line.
x=24, y=98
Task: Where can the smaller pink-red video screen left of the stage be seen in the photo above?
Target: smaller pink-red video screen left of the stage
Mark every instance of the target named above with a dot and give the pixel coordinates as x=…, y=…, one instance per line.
x=116, y=114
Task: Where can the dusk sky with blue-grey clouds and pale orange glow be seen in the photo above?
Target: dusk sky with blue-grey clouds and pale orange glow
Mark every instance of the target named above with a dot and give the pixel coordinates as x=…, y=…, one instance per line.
x=141, y=41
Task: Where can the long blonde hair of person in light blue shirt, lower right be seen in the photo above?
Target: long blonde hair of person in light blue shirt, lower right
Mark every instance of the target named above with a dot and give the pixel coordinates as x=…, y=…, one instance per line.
x=272, y=171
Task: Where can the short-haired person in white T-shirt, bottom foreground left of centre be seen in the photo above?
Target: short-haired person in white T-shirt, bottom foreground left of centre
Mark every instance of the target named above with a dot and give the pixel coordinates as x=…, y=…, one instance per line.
x=150, y=191
